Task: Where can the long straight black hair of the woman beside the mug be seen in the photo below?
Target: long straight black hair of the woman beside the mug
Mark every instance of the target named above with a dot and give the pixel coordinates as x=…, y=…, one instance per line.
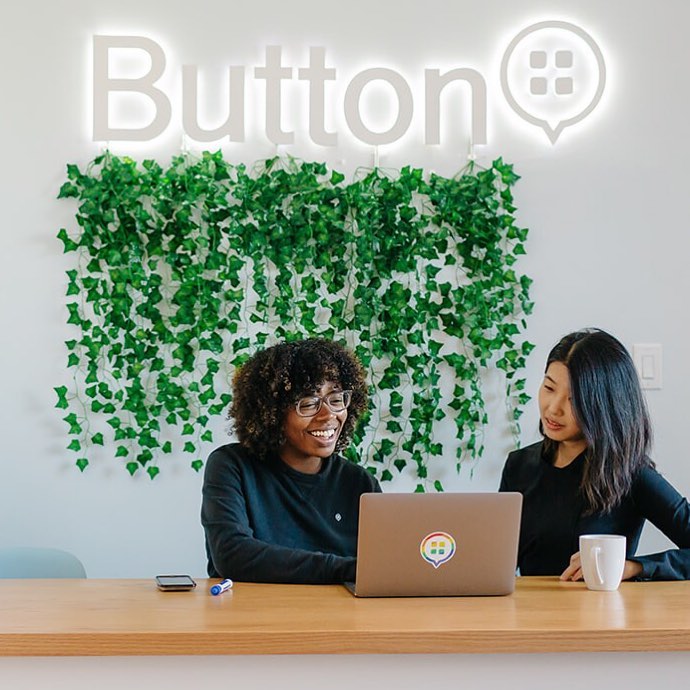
x=611, y=411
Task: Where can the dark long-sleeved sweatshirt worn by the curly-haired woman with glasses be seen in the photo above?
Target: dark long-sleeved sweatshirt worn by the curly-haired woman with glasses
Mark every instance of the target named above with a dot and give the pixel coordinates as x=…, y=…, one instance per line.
x=265, y=522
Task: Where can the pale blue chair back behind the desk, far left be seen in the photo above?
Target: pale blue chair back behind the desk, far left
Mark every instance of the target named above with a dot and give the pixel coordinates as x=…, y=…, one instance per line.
x=35, y=562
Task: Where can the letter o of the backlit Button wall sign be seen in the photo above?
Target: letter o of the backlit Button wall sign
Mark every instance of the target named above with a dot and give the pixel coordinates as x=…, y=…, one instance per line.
x=353, y=116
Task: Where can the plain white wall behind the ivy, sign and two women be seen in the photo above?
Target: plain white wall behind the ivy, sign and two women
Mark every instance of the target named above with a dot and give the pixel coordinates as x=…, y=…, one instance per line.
x=606, y=207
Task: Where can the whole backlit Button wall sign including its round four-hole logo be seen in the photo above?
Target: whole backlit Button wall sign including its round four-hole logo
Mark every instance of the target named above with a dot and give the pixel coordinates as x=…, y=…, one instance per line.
x=552, y=76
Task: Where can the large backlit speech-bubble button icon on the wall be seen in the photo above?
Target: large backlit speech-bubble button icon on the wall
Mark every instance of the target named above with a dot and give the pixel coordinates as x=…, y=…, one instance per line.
x=553, y=75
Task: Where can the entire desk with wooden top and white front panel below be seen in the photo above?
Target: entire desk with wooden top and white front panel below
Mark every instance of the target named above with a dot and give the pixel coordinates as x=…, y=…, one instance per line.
x=114, y=634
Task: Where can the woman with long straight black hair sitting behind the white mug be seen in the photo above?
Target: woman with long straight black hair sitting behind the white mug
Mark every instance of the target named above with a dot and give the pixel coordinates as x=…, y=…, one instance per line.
x=592, y=473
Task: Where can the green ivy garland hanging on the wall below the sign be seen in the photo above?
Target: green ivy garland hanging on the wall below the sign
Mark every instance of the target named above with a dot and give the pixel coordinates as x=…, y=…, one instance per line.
x=182, y=272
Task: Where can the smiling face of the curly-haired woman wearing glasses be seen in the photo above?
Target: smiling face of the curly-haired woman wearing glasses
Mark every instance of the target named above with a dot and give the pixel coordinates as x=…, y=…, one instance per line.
x=310, y=439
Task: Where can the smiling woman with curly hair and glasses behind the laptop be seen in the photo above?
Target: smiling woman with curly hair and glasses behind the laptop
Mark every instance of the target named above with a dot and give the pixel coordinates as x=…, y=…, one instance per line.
x=281, y=505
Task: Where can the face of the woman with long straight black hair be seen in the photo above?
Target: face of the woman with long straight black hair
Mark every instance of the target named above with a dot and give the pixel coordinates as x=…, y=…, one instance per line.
x=555, y=408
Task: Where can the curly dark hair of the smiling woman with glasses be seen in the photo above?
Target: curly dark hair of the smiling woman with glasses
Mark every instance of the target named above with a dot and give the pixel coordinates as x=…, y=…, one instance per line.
x=274, y=379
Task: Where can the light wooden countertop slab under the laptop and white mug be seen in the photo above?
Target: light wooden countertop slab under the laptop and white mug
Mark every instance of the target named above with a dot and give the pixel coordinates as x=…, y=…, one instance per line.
x=131, y=617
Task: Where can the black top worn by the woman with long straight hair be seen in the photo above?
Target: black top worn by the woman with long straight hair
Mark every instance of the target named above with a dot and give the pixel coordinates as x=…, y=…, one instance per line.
x=553, y=520
